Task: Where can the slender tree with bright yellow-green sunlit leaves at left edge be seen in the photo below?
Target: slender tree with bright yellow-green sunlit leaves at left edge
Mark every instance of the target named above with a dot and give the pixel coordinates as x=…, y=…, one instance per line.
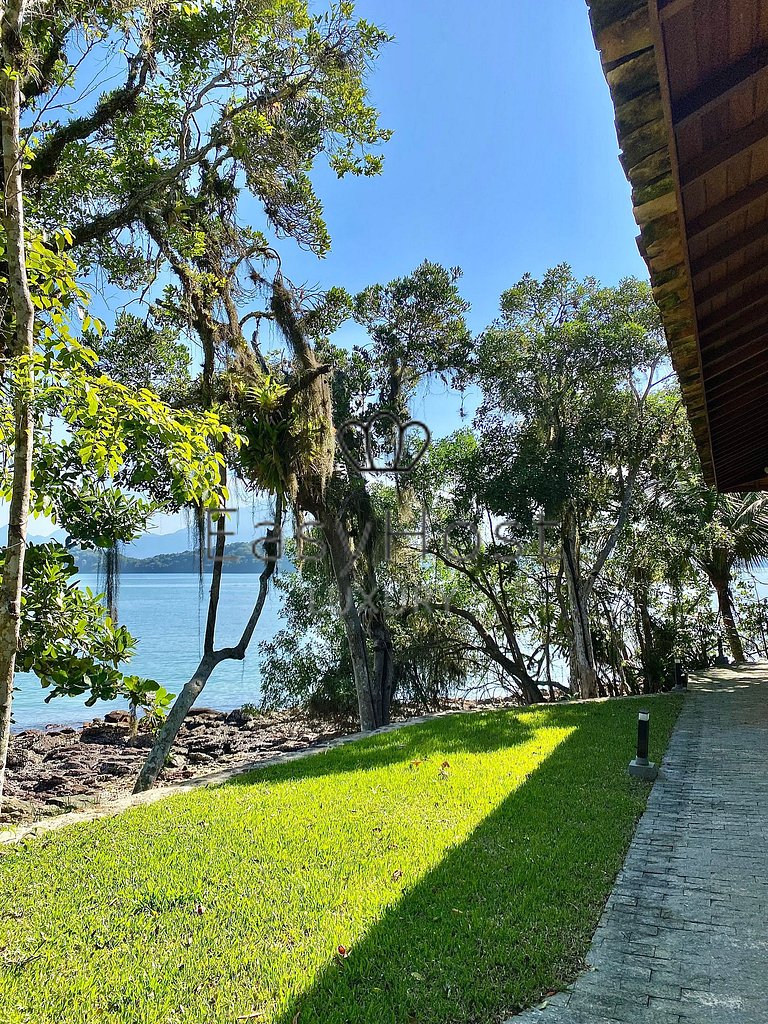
x=72, y=479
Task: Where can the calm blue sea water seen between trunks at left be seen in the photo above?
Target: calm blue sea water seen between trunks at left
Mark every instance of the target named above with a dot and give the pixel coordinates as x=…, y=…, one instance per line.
x=165, y=614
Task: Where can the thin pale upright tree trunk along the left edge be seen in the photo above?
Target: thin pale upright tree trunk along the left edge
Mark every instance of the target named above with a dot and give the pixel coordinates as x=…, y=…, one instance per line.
x=23, y=345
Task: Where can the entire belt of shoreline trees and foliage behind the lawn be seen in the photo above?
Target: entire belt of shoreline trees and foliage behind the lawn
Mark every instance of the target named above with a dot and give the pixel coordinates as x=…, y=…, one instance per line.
x=567, y=523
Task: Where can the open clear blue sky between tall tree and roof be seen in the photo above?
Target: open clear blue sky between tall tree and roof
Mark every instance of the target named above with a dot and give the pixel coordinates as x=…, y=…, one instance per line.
x=504, y=158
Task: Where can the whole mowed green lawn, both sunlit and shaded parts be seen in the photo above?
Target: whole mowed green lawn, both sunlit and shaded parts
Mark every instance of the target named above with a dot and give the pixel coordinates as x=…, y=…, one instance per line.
x=462, y=865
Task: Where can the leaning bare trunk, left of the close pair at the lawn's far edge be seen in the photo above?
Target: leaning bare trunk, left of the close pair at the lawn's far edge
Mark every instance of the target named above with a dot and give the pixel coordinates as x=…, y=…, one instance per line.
x=342, y=562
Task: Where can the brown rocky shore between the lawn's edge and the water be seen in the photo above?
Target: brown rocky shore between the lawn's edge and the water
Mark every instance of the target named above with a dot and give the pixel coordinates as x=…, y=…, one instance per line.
x=61, y=770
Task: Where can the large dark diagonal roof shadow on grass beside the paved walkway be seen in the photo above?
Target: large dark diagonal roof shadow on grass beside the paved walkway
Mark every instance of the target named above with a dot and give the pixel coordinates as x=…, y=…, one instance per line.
x=508, y=914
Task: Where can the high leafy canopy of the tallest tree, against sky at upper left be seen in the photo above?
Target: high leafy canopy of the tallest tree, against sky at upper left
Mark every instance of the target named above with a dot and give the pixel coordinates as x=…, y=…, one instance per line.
x=281, y=88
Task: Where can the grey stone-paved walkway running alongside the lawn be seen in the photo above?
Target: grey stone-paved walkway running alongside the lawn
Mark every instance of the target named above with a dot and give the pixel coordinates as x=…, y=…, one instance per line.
x=685, y=936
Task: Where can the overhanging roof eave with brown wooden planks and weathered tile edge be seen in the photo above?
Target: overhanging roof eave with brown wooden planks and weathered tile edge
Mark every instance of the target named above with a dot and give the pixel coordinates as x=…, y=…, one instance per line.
x=690, y=82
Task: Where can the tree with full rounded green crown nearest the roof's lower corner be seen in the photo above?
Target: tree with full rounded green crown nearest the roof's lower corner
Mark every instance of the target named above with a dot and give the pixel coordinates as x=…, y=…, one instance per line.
x=567, y=372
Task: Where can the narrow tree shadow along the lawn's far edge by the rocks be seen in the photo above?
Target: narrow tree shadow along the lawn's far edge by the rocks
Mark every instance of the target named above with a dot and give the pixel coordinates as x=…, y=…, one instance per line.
x=477, y=734
